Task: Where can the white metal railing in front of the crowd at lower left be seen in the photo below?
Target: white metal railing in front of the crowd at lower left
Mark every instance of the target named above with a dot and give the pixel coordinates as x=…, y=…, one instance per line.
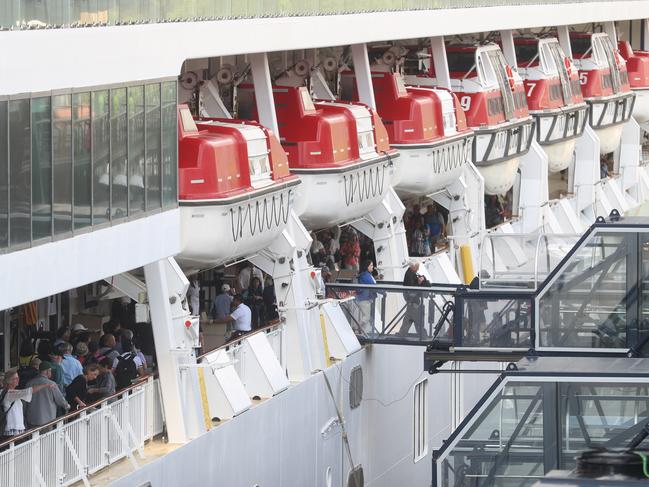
x=68, y=452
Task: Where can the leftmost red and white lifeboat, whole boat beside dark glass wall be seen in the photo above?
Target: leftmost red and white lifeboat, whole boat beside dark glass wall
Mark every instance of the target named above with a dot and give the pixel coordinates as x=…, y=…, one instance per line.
x=235, y=189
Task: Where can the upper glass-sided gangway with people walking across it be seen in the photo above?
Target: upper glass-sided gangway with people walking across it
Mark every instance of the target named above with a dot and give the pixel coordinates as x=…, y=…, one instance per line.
x=588, y=300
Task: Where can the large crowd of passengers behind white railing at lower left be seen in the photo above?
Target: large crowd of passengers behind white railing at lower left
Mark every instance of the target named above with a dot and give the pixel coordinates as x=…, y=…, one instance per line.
x=67, y=372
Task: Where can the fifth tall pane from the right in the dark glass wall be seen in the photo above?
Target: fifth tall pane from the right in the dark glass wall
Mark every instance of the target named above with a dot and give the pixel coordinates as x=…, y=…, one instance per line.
x=101, y=157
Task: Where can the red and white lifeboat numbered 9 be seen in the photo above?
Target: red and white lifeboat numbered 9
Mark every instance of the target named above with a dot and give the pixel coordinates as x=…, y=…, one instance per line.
x=492, y=96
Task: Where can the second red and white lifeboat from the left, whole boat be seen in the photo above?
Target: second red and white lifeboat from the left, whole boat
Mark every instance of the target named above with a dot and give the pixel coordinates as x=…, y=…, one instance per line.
x=340, y=150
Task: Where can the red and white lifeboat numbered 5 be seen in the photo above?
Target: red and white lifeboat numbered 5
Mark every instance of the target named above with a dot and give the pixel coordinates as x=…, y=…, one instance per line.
x=605, y=86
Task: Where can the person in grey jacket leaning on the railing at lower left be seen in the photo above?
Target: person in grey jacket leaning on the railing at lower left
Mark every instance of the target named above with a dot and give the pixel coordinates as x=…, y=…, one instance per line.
x=43, y=407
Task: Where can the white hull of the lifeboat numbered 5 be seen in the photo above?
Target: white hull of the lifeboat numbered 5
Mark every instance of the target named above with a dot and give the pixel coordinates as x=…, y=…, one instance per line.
x=607, y=118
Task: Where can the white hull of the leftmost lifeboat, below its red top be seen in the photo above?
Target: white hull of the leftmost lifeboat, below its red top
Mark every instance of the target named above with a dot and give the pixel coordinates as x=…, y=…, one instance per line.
x=215, y=232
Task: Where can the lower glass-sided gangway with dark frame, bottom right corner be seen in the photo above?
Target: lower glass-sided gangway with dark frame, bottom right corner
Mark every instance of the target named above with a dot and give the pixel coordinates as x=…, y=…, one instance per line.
x=539, y=413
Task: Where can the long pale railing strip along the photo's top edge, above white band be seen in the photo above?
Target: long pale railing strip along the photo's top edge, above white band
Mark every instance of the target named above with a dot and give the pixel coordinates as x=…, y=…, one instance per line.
x=28, y=14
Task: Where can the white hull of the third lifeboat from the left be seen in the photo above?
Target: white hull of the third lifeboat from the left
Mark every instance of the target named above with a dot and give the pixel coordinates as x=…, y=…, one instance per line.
x=423, y=169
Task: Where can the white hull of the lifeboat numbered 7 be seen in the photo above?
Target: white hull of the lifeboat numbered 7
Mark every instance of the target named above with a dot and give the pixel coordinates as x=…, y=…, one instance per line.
x=557, y=133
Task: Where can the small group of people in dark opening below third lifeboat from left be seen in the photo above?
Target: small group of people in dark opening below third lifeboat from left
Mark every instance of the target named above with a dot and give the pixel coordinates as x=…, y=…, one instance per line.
x=425, y=229
